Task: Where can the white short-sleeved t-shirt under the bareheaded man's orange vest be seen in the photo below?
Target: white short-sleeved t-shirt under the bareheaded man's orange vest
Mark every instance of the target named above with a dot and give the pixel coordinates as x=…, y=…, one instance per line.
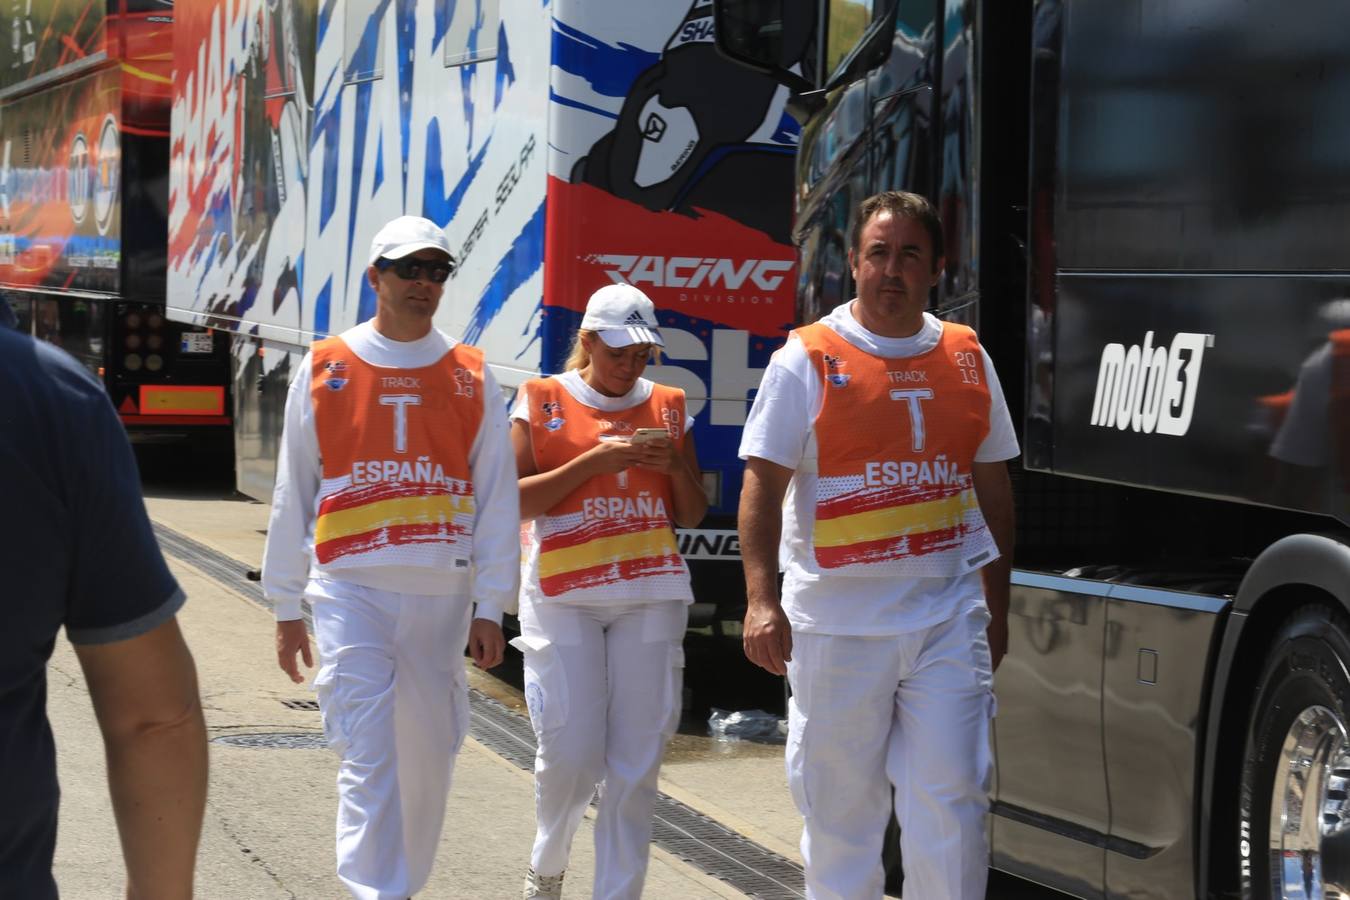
x=780, y=430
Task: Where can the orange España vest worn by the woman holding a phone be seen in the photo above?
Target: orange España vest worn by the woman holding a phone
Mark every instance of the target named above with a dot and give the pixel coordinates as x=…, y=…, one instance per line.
x=612, y=536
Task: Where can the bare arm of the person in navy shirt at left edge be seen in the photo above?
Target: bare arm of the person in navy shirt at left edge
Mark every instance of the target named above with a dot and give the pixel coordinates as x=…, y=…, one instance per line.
x=145, y=696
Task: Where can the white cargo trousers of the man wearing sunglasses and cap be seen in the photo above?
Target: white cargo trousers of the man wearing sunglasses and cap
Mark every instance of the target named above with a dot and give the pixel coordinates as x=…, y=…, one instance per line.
x=394, y=696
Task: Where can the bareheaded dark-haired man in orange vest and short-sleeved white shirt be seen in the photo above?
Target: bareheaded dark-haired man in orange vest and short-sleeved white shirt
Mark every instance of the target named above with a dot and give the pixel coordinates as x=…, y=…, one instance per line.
x=886, y=432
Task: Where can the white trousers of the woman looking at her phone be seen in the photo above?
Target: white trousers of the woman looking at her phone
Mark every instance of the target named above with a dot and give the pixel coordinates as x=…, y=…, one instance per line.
x=604, y=692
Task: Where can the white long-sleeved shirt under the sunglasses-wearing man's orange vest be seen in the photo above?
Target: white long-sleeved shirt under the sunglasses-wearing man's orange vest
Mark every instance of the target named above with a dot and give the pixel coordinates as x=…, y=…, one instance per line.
x=290, y=561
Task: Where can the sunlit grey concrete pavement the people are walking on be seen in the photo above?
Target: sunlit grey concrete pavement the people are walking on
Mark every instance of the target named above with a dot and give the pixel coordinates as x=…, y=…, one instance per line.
x=726, y=821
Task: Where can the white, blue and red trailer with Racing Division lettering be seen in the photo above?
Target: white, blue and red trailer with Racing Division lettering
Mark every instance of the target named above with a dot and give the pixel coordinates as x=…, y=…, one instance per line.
x=562, y=145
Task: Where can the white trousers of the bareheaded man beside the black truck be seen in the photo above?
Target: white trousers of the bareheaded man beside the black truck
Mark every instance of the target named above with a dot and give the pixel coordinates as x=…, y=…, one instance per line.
x=908, y=710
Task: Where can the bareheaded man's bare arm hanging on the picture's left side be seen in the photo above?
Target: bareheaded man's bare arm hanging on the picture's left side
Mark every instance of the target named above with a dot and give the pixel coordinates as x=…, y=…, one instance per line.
x=767, y=636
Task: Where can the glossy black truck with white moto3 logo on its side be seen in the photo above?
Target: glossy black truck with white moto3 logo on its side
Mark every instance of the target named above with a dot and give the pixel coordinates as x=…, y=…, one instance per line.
x=1147, y=211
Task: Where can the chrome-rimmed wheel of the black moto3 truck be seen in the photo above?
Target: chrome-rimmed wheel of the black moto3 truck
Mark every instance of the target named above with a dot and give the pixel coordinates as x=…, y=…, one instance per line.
x=1294, y=808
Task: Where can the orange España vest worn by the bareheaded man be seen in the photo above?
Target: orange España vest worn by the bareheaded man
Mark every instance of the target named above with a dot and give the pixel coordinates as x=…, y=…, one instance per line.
x=897, y=441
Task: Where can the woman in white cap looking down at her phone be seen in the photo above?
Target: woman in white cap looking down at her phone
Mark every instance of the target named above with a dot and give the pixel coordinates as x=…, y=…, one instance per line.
x=607, y=469
